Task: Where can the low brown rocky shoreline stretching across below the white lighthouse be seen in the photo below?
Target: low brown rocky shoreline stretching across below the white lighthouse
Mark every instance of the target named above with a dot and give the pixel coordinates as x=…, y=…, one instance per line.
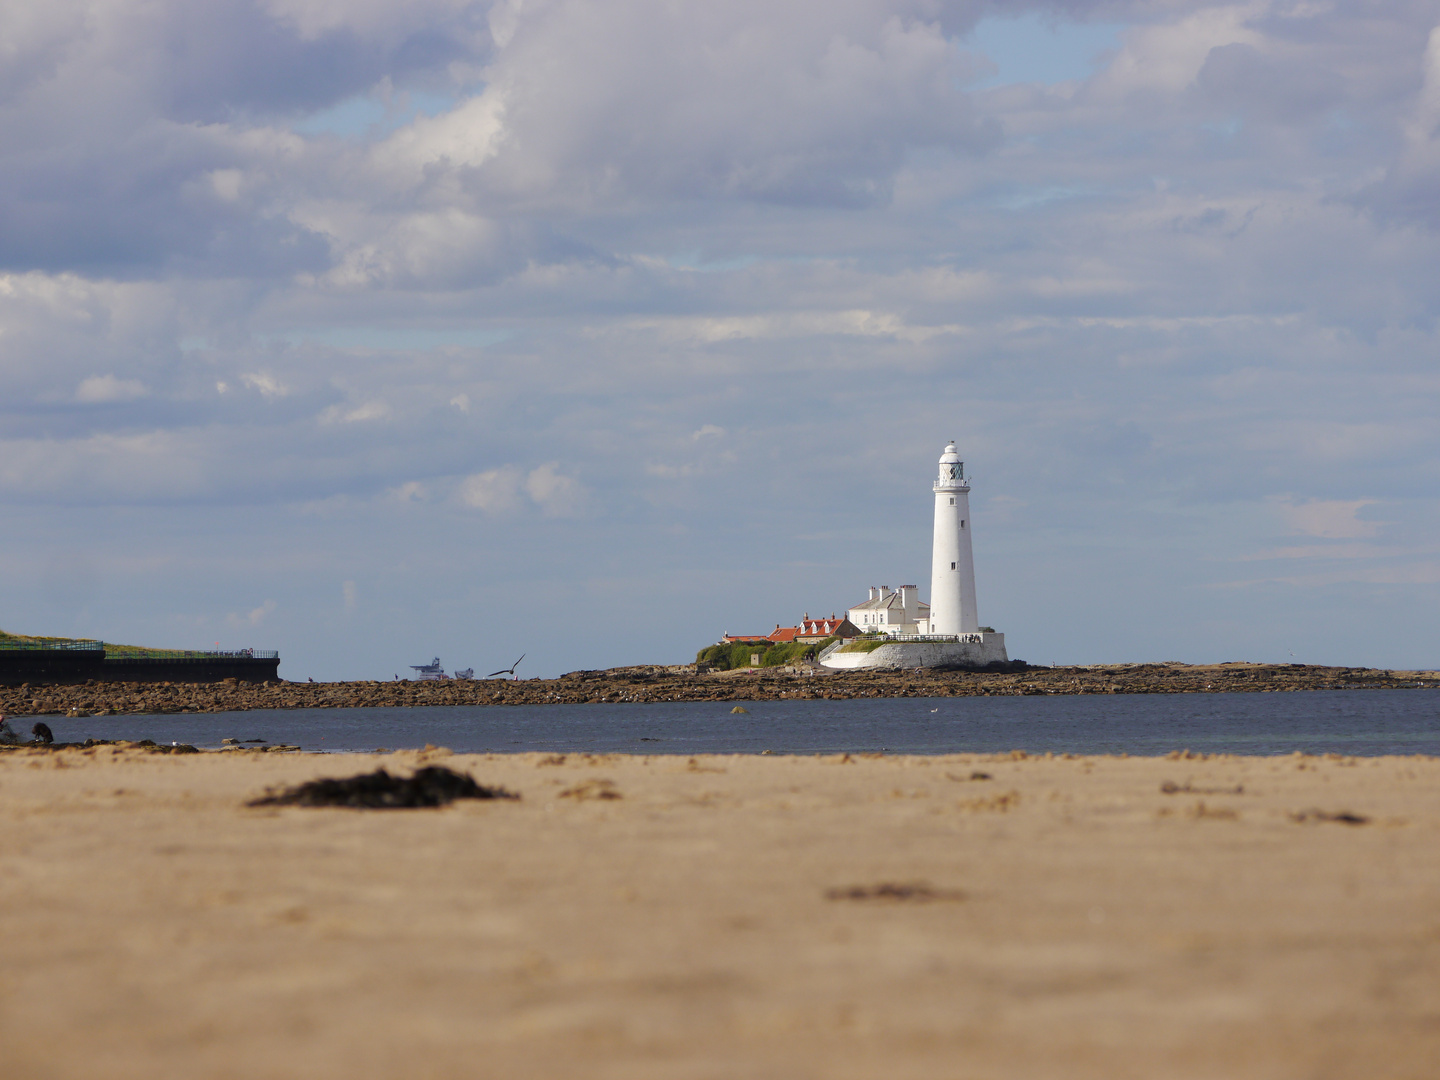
x=682, y=683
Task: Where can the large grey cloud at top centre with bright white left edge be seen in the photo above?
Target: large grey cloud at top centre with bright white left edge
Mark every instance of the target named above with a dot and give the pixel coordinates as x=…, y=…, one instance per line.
x=747, y=100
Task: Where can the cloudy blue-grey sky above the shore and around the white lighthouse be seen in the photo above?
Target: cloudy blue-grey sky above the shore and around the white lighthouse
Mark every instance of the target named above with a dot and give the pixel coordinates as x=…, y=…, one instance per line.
x=378, y=330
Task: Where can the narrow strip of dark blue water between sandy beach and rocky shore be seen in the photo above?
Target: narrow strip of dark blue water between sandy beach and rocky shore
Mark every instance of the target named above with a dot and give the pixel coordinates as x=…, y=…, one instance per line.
x=1353, y=722
